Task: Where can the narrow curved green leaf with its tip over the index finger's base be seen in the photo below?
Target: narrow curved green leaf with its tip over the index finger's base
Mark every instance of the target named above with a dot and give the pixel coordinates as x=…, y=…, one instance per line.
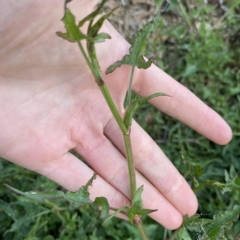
x=135, y=105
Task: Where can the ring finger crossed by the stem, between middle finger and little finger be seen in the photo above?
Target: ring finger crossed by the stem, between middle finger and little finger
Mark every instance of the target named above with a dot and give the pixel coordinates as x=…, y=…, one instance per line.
x=111, y=165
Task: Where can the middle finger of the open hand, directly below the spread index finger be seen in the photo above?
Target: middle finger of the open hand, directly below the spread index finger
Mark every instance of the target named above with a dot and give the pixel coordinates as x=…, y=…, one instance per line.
x=156, y=167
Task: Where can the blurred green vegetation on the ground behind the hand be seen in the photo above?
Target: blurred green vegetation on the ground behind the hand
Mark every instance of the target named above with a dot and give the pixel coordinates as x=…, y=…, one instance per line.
x=198, y=43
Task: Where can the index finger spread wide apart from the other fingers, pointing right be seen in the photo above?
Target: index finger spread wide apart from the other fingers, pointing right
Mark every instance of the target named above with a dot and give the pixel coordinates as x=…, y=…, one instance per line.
x=182, y=105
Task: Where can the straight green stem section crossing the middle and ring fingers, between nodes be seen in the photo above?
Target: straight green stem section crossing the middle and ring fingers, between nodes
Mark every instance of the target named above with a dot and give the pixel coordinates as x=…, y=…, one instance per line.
x=131, y=167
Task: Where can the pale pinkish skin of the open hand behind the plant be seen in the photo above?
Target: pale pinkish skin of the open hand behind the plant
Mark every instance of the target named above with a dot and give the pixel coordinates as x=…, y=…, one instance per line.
x=51, y=104
